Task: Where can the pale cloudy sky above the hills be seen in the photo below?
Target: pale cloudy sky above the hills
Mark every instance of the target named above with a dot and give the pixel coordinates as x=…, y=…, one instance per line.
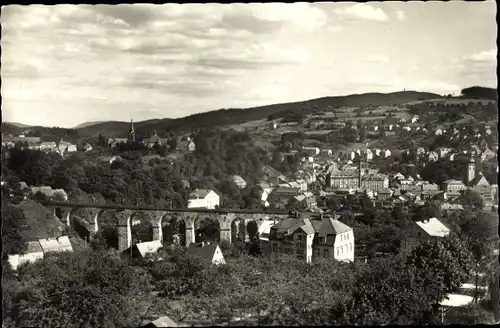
x=68, y=64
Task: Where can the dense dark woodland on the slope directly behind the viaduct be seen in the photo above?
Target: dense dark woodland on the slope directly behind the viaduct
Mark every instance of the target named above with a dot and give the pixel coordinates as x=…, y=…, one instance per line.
x=218, y=156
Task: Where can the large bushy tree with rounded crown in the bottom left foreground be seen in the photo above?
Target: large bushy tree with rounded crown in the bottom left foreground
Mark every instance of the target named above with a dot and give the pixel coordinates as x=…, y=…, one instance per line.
x=79, y=290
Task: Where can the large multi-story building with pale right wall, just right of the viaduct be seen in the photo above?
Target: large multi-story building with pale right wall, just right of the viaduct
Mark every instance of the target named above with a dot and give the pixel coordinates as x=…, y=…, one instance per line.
x=310, y=239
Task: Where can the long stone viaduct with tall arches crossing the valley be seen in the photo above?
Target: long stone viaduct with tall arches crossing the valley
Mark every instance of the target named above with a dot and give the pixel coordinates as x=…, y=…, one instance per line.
x=125, y=214
